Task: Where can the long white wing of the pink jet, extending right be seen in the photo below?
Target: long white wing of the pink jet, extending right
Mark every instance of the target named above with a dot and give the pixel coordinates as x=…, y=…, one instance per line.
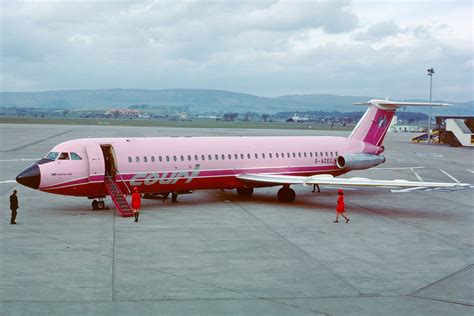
x=327, y=179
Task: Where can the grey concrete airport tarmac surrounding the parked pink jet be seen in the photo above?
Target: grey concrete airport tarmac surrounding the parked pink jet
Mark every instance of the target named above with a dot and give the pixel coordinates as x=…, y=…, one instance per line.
x=214, y=253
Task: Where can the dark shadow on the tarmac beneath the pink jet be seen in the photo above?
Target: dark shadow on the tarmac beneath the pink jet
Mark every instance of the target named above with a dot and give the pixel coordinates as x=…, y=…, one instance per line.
x=307, y=201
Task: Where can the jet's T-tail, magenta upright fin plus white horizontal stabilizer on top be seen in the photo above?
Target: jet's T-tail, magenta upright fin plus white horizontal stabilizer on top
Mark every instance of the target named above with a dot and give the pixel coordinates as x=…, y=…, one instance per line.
x=373, y=126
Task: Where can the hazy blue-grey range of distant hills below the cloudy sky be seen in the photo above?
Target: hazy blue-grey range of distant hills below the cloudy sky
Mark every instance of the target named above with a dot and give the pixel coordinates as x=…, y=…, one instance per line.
x=196, y=100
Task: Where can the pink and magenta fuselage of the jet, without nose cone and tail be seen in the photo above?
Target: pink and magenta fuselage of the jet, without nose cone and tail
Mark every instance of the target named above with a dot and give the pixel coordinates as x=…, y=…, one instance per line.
x=174, y=164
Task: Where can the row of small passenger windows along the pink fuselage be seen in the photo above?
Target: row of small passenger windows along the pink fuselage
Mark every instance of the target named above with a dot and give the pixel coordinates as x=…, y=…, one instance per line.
x=232, y=157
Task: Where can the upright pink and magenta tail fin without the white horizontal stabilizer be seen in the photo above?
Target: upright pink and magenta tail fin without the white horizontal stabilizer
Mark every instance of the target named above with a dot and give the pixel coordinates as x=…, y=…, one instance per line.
x=373, y=126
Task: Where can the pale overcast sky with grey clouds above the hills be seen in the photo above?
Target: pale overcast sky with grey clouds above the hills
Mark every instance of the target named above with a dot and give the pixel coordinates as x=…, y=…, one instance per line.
x=267, y=48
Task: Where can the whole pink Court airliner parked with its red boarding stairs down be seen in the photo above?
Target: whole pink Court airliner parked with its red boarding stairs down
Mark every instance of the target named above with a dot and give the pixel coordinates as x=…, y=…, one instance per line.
x=97, y=167
